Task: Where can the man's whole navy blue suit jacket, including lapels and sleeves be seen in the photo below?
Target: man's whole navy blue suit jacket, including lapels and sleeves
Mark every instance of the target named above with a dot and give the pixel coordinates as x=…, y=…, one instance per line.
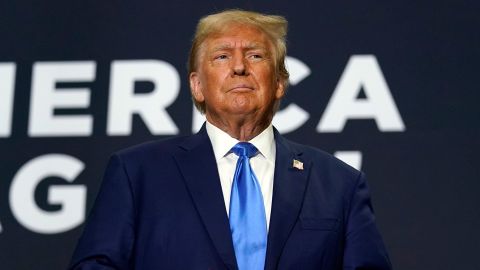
x=161, y=206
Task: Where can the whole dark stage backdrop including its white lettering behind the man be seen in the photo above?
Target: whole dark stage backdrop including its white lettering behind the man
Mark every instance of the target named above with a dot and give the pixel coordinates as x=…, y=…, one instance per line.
x=391, y=88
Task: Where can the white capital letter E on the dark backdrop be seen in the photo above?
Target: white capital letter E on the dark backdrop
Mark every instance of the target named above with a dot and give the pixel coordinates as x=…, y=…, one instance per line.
x=45, y=99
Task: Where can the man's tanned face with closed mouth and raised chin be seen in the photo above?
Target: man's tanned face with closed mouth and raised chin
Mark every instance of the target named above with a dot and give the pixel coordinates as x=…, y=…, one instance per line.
x=236, y=75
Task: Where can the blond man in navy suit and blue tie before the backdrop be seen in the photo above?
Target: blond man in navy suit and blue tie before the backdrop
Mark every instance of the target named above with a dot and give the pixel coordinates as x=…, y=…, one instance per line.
x=209, y=202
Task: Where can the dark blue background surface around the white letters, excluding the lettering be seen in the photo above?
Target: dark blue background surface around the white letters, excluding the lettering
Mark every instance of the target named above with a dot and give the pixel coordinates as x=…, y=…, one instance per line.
x=424, y=181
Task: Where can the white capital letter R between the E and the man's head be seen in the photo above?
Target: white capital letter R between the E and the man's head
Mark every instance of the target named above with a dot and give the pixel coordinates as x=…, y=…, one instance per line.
x=150, y=106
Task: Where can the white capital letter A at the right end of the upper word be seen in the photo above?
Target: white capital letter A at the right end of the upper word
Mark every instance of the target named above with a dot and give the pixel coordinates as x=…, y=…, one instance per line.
x=361, y=72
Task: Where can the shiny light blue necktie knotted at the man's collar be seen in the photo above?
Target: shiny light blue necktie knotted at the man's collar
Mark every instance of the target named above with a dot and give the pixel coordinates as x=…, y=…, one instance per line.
x=247, y=212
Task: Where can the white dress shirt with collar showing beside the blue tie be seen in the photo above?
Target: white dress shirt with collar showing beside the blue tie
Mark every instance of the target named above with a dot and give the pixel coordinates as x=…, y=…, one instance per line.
x=263, y=164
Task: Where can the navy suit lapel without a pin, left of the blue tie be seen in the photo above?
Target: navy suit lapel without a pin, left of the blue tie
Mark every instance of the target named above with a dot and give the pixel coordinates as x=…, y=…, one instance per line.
x=198, y=166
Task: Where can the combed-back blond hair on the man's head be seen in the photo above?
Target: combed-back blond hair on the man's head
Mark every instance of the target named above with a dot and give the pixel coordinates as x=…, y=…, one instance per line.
x=274, y=26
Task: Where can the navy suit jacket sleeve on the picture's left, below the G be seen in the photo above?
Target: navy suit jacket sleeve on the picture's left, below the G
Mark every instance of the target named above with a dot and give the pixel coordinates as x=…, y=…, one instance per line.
x=108, y=237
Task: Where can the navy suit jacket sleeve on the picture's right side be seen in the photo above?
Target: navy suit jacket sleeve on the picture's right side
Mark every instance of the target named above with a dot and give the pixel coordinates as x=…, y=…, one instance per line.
x=364, y=248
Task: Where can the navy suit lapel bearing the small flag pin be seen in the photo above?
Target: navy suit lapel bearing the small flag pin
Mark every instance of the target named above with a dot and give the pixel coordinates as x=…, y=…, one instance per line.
x=288, y=193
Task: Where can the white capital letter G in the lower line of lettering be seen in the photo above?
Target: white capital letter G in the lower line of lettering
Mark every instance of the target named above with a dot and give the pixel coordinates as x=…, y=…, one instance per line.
x=71, y=198
